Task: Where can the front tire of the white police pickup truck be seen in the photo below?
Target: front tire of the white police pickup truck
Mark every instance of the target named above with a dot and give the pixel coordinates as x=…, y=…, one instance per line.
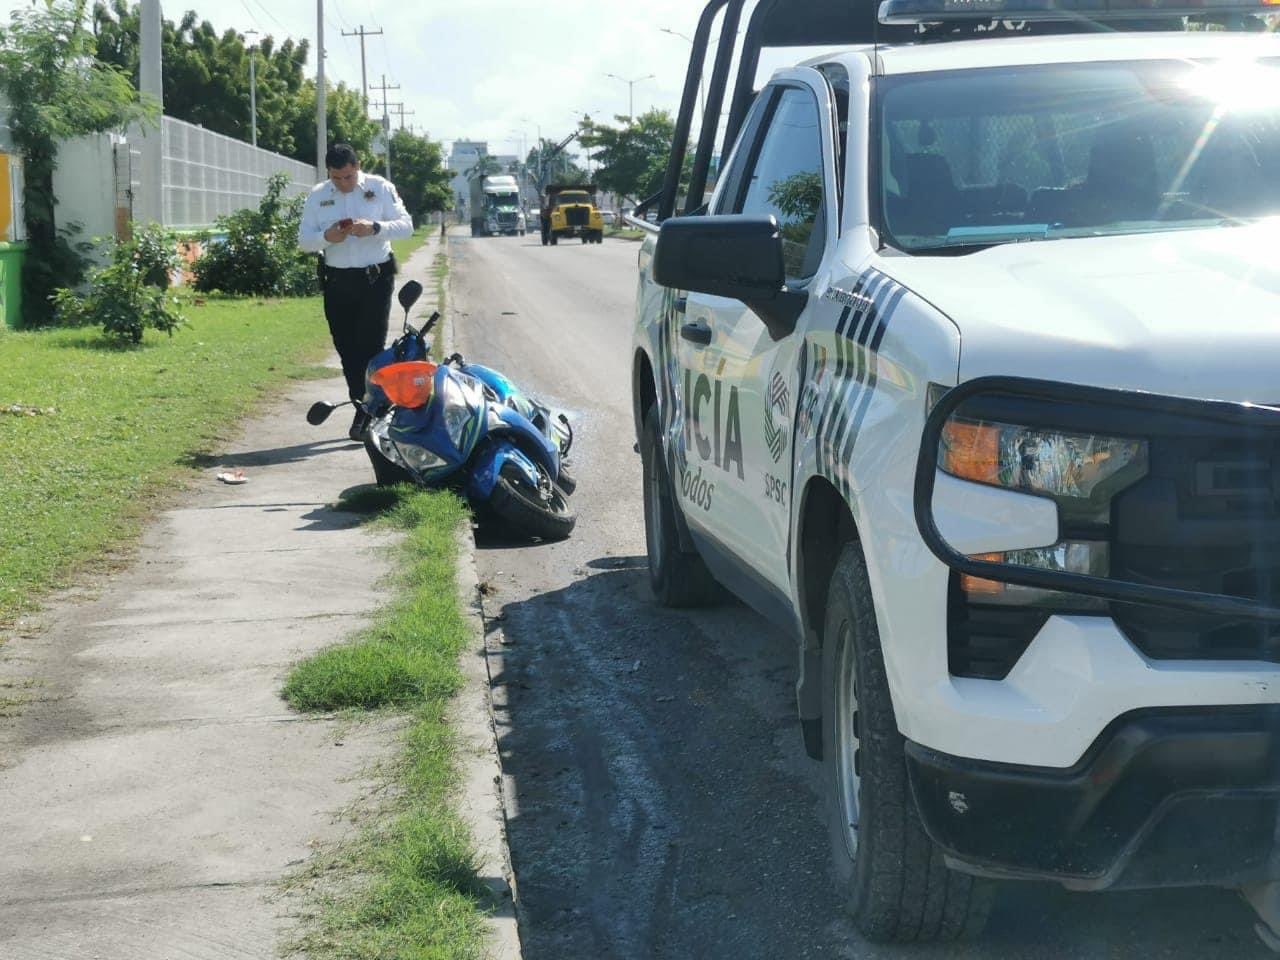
x=899, y=890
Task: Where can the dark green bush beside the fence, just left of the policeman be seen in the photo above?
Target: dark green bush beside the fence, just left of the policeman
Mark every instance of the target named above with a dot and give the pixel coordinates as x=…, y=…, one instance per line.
x=260, y=254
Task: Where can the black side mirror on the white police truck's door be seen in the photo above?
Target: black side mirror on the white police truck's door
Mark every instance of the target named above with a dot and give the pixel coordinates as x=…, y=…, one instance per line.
x=730, y=257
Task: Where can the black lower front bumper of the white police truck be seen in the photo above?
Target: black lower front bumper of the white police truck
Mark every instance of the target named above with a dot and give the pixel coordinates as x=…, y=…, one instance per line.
x=1164, y=798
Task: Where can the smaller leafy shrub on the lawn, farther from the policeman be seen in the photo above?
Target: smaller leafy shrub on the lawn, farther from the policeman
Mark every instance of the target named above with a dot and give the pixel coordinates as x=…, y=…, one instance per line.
x=129, y=295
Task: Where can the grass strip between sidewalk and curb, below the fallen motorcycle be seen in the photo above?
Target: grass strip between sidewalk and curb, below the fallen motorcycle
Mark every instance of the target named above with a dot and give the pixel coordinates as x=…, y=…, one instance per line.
x=408, y=886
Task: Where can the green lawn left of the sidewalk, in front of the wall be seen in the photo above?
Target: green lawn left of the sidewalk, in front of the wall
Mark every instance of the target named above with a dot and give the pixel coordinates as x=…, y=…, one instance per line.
x=102, y=433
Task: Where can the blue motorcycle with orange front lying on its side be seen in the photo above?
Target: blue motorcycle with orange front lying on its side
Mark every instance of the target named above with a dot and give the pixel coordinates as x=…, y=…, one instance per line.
x=464, y=427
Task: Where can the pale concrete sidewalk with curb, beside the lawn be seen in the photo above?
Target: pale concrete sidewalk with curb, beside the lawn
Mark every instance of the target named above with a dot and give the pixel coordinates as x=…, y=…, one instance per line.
x=156, y=789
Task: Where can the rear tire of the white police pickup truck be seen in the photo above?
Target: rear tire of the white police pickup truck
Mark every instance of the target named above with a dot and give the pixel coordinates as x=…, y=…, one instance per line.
x=678, y=579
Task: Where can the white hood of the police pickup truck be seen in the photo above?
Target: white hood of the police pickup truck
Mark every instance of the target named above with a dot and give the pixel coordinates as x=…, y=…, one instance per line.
x=1188, y=314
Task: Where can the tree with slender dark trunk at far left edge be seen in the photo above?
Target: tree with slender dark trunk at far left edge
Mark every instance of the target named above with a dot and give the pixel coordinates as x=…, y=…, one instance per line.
x=57, y=92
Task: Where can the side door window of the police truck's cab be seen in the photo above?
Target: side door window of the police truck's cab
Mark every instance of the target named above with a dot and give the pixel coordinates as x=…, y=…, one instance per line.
x=787, y=181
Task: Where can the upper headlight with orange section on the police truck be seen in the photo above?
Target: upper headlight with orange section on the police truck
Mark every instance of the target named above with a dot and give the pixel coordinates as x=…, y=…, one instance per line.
x=1058, y=464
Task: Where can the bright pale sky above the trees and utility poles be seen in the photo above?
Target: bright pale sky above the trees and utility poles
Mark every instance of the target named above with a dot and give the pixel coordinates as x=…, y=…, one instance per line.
x=500, y=71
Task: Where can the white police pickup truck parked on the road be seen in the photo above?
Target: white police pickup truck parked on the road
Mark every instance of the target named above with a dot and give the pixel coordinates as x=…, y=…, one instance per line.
x=962, y=373
